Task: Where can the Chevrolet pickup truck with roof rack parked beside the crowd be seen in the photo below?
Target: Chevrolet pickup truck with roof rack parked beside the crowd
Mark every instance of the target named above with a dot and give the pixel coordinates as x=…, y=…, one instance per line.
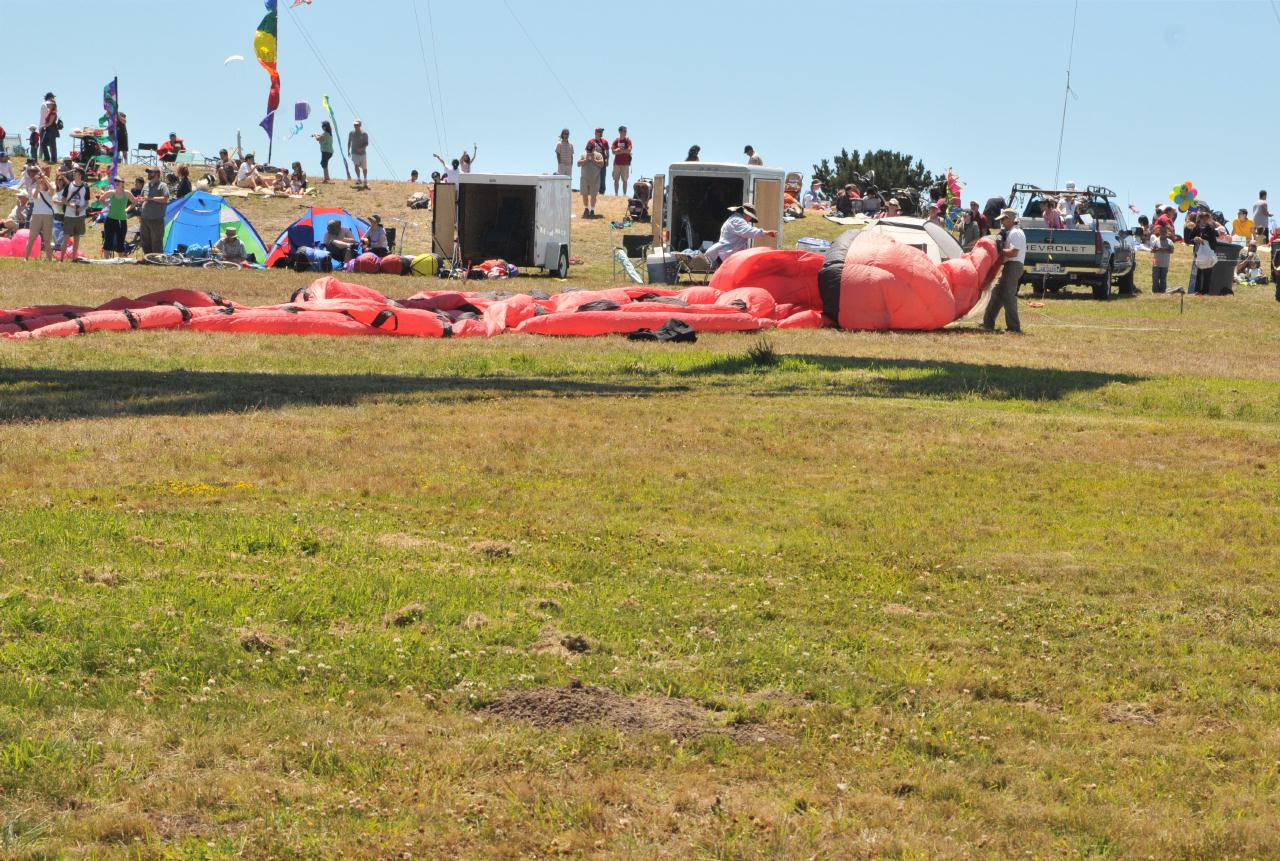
x=1094, y=248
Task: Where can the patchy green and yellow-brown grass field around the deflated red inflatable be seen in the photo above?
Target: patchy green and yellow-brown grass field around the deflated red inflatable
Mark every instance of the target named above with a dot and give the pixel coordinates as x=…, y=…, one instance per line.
x=819, y=596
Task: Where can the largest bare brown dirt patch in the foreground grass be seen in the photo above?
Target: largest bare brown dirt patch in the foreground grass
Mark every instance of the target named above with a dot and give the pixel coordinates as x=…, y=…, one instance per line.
x=577, y=704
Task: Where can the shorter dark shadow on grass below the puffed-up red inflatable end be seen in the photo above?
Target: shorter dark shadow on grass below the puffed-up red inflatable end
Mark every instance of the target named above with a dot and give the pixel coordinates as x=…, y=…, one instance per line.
x=898, y=378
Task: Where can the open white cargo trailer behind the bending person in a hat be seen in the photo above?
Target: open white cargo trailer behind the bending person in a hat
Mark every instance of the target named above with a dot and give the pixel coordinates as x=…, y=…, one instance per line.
x=696, y=198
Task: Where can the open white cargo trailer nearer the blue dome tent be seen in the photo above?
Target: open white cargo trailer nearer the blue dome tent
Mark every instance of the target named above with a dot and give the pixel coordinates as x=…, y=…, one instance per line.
x=520, y=218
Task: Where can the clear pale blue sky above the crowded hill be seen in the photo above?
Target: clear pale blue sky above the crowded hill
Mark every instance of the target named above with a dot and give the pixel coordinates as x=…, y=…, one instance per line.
x=976, y=86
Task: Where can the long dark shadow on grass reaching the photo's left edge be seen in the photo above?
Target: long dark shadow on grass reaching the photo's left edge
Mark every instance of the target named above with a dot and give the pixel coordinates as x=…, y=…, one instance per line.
x=30, y=395
